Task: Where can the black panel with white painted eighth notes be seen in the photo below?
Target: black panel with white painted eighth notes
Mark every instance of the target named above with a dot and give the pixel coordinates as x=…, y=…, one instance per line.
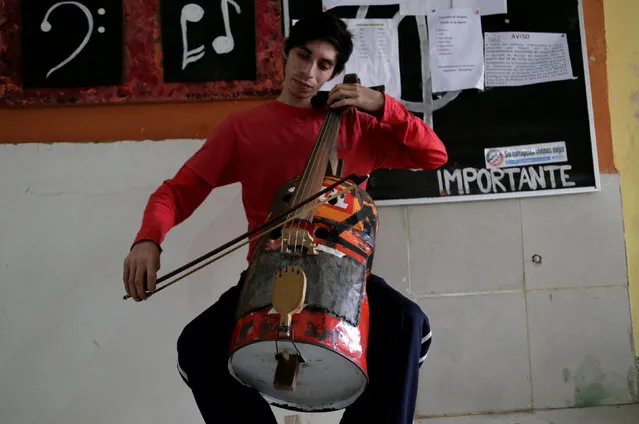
x=211, y=40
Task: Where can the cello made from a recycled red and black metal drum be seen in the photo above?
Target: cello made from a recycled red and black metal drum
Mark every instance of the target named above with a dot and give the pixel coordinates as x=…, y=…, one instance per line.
x=302, y=319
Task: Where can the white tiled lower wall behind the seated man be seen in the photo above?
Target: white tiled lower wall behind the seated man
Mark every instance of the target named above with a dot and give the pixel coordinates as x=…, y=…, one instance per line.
x=507, y=334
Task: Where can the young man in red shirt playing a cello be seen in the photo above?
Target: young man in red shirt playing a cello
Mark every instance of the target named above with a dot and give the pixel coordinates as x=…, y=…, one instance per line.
x=263, y=148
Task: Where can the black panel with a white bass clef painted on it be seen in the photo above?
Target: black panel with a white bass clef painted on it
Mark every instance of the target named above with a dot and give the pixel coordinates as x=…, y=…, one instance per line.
x=71, y=43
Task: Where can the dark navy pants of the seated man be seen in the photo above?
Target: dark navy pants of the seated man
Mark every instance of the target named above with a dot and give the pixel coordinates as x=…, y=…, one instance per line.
x=399, y=340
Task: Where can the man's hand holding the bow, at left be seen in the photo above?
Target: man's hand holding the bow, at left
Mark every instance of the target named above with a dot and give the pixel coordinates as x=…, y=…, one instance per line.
x=140, y=270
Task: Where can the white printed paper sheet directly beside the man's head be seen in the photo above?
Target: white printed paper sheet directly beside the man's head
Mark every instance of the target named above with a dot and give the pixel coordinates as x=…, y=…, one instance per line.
x=375, y=57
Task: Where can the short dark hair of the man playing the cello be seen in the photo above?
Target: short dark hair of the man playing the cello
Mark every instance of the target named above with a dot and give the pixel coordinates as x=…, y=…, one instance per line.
x=322, y=27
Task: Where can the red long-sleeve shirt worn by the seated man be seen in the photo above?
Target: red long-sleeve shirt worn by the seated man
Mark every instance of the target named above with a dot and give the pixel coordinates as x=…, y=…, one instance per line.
x=263, y=147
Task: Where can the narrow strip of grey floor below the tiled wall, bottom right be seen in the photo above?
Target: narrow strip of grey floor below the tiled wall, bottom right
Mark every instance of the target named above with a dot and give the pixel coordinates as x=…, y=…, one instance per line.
x=597, y=415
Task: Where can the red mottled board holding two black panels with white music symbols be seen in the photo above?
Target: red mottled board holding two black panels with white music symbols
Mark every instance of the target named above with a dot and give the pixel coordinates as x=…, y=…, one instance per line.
x=56, y=52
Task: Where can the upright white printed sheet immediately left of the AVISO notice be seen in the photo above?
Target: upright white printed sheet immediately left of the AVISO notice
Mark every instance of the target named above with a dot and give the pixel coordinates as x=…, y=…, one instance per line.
x=456, y=50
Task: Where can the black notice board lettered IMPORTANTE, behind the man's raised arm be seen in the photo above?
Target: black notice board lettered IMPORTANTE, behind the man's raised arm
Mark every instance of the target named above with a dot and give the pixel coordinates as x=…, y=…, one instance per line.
x=528, y=132
